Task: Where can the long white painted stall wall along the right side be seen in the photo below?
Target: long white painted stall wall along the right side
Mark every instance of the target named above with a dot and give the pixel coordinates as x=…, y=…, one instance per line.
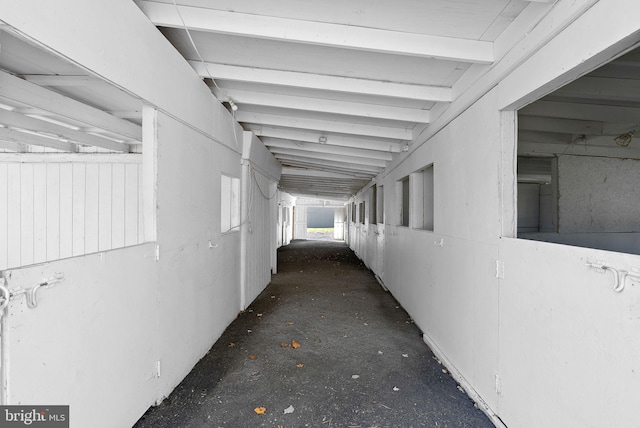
x=526, y=327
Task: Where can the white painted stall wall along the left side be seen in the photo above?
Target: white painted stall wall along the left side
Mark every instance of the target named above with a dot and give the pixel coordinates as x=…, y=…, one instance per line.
x=120, y=313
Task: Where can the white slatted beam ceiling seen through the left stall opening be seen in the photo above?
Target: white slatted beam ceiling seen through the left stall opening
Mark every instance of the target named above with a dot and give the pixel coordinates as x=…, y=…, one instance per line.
x=48, y=105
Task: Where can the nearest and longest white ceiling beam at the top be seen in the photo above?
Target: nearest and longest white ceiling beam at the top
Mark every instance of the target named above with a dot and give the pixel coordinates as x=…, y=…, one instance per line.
x=318, y=33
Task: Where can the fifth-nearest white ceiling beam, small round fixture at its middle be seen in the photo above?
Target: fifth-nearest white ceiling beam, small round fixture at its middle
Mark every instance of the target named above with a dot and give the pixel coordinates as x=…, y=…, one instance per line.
x=332, y=139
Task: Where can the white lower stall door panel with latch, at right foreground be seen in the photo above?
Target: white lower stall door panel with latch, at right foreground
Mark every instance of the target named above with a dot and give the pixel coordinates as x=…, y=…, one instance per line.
x=569, y=354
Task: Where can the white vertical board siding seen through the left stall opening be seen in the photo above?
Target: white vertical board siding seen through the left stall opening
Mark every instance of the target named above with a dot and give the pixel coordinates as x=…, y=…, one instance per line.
x=54, y=210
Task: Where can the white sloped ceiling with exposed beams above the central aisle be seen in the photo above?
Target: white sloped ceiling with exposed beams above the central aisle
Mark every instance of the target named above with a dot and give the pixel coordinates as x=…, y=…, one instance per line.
x=336, y=90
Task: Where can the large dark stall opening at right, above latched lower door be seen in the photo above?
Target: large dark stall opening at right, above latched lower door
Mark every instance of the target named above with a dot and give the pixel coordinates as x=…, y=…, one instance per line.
x=578, y=167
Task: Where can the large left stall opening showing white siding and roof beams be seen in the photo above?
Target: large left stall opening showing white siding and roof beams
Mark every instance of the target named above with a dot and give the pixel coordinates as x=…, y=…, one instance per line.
x=74, y=178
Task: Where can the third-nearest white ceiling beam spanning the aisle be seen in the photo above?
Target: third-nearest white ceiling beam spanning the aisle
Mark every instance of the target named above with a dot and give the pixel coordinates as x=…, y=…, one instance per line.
x=325, y=105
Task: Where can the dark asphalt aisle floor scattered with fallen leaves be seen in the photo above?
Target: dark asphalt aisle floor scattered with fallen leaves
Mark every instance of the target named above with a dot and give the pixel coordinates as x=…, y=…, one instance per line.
x=361, y=361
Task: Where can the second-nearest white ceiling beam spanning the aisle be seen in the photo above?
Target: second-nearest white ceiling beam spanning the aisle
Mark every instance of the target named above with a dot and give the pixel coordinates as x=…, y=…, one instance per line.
x=322, y=82
